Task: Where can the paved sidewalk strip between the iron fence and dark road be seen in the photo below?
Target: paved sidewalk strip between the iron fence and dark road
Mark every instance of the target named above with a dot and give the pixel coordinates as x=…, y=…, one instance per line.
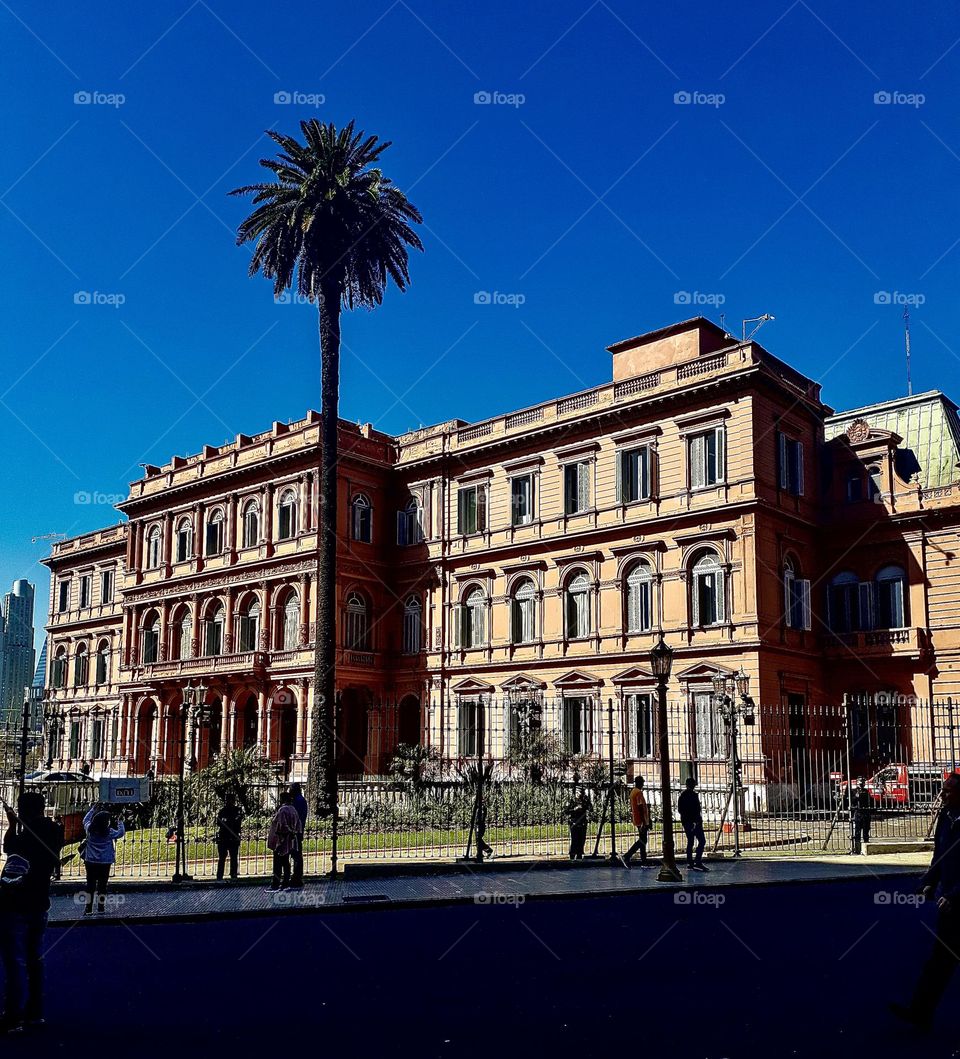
x=498, y=883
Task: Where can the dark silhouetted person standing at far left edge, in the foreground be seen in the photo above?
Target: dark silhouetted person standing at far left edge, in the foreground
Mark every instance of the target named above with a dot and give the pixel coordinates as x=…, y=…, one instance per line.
x=32, y=845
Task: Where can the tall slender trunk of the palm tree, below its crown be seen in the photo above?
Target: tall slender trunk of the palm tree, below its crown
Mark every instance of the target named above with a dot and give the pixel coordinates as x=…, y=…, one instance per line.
x=322, y=780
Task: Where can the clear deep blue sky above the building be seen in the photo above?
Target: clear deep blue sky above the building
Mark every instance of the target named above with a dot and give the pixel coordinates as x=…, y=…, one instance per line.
x=586, y=189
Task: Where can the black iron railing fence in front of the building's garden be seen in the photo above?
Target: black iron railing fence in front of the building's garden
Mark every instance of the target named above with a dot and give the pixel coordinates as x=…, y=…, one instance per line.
x=772, y=779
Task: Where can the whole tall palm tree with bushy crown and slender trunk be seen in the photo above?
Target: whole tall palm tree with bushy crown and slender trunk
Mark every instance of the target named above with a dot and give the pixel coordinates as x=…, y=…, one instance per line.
x=335, y=220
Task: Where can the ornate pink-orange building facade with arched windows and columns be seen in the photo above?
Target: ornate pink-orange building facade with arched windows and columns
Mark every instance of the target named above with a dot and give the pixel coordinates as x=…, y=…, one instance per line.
x=707, y=492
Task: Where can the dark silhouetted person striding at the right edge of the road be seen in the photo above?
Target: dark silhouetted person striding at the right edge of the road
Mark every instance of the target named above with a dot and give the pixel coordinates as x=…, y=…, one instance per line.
x=944, y=877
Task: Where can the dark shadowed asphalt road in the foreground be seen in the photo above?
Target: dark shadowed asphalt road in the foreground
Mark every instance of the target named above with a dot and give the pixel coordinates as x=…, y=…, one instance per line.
x=789, y=971
